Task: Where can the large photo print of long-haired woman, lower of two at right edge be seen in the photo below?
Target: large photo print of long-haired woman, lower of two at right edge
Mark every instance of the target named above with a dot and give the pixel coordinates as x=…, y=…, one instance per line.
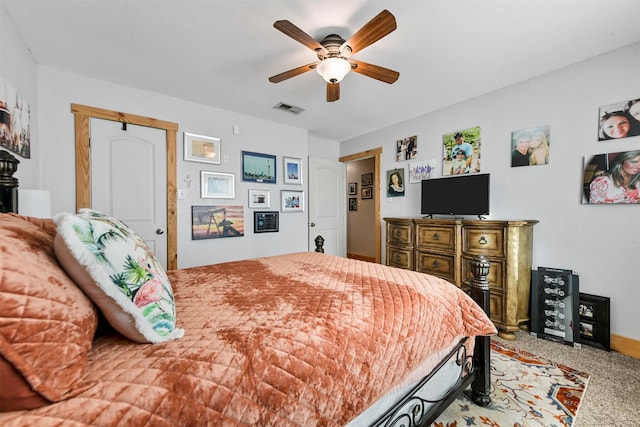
x=612, y=178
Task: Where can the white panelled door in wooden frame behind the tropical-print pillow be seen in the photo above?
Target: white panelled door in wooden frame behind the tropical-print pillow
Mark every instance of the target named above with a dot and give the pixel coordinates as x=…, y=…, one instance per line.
x=128, y=179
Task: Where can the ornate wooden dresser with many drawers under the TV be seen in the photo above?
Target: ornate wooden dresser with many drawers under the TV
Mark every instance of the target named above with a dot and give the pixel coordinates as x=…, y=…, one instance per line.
x=445, y=247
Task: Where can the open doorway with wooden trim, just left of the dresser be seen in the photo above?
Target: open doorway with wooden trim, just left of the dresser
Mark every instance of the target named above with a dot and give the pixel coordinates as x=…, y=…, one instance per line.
x=372, y=158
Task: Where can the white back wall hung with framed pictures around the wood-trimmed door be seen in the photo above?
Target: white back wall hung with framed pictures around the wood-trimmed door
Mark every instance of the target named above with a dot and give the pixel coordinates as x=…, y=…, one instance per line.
x=59, y=89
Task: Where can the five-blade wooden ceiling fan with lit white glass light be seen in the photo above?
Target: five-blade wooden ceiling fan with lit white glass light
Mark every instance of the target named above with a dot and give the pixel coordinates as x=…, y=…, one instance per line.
x=334, y=53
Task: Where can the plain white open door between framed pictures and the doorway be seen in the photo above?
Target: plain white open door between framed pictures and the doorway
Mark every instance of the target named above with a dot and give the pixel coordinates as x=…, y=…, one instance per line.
x=327, y=205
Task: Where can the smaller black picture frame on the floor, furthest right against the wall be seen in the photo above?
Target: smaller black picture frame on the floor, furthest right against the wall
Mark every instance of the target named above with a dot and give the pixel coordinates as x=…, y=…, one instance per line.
x=595, y=317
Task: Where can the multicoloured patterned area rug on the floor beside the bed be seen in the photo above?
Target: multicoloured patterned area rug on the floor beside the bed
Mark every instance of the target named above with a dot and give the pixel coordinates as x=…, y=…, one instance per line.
x=527, y=391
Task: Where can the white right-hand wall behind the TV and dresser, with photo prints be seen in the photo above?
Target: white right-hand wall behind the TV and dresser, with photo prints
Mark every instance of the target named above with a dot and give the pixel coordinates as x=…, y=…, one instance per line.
x=601, y=243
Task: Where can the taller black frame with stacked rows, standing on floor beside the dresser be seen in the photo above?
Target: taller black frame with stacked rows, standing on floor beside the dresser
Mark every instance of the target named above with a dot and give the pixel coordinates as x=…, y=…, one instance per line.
x=554, y=305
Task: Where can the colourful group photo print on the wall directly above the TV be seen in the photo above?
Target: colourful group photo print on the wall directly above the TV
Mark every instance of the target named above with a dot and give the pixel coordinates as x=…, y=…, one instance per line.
x=461, y=152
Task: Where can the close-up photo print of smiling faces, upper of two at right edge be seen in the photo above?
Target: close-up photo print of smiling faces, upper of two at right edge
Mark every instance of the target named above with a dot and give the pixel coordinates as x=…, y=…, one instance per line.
x=620, y=120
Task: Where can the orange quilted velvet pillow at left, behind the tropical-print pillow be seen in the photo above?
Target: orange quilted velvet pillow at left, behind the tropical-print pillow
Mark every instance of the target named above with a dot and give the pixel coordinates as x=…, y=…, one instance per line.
x=47, y=324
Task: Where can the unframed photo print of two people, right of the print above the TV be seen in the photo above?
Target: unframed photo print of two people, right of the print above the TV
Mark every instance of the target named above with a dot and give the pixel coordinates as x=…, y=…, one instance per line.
x=530, y=147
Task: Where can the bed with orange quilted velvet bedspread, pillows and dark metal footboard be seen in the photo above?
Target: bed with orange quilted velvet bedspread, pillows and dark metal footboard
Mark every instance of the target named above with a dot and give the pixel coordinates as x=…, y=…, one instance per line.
x=301, y=339
